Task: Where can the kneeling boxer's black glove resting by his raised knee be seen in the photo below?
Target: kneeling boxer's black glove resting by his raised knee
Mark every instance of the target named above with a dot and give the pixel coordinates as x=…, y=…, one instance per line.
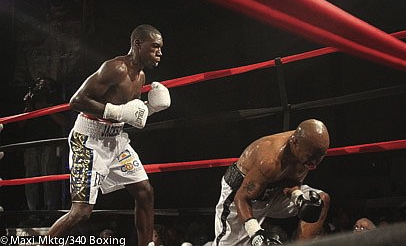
x=309, y=208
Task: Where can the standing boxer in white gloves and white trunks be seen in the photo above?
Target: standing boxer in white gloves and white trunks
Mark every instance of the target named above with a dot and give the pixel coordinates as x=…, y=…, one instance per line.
x=100, y=154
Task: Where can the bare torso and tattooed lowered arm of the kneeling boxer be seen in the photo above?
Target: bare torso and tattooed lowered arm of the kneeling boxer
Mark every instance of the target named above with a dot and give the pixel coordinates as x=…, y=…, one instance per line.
x=274, y=161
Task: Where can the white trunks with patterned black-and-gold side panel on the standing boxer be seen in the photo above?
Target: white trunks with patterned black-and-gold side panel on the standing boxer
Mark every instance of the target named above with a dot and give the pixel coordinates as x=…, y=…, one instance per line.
x=101, y=157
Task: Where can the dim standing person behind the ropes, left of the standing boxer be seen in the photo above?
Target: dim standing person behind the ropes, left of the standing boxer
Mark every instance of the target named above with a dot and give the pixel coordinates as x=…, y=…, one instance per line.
x=43, y=160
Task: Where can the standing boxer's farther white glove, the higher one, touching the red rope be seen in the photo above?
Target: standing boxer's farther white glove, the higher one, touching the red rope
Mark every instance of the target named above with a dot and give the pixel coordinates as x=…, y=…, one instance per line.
x=158, y=98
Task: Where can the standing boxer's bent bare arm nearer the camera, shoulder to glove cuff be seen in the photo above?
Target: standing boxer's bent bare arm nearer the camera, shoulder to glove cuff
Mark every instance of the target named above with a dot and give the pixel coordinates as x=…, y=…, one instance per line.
x=87, y=98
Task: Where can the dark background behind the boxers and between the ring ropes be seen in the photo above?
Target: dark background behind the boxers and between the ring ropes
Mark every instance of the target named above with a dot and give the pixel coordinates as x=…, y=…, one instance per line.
x=68, y=40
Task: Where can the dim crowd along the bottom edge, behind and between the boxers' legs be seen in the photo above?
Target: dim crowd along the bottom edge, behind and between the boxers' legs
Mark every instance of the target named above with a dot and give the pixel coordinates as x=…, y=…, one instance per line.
x=197, y=230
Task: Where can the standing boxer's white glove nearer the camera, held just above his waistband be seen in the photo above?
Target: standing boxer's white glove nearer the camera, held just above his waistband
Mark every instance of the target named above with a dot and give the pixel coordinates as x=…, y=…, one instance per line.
x=134, y=112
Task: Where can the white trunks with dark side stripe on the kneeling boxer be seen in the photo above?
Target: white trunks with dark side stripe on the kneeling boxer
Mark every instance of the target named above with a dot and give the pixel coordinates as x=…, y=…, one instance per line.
x=229, y=230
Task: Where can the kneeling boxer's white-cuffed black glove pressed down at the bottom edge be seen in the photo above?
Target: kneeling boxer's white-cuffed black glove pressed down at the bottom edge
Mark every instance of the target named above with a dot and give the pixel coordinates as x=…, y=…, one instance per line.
x=258, y=236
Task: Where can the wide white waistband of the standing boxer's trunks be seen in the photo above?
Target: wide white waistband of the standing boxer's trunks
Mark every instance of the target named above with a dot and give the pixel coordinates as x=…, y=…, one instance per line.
x=97, y=129
